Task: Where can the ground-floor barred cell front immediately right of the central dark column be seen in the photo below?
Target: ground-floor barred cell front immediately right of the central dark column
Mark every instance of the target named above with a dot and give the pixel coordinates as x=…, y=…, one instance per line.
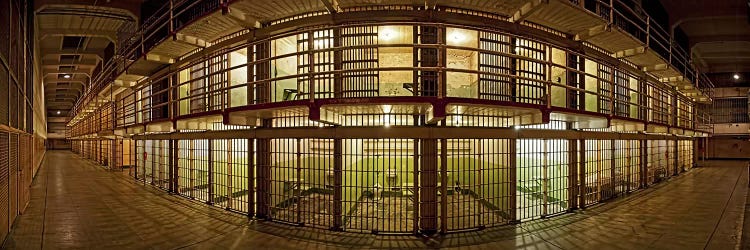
x=475, y=183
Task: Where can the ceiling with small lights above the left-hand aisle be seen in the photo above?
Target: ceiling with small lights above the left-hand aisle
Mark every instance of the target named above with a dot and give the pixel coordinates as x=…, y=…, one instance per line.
x=72, y=39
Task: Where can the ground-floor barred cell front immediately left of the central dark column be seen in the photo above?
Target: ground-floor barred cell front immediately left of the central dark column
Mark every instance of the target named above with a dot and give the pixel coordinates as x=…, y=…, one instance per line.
x=380, y=185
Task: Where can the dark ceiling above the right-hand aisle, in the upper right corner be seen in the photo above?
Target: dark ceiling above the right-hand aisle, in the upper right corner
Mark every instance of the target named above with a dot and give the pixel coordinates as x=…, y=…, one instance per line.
x=718, y=32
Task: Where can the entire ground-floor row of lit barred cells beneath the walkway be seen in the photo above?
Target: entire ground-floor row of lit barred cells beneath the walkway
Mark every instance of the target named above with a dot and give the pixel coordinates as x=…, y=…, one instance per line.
x=403, y=185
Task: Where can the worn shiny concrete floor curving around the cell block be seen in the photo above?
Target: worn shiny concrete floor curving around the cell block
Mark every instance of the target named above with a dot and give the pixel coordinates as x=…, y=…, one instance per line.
x=76, y=204
